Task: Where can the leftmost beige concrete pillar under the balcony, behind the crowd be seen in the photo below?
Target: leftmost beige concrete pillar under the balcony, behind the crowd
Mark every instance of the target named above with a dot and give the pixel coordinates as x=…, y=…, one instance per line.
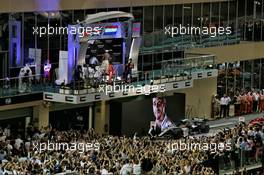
x=41, y=116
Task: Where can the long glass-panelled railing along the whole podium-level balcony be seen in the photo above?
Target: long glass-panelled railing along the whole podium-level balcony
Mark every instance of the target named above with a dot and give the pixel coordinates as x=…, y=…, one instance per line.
x=172, y=70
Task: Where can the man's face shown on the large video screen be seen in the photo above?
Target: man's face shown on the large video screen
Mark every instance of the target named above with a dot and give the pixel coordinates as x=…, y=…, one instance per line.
x=158, y=105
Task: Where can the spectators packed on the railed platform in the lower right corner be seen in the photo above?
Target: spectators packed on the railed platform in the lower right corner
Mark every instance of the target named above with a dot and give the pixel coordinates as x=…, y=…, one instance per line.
x=247, y=142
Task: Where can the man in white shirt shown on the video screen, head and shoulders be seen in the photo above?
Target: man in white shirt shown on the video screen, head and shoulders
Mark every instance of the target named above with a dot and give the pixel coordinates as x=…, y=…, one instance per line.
x=162, y=121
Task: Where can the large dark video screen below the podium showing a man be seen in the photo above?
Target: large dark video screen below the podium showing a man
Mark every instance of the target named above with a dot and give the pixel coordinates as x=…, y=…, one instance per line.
x=139, y=113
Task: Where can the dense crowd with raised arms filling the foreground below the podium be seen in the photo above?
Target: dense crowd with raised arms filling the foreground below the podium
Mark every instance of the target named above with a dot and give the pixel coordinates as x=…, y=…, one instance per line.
x=125, y=155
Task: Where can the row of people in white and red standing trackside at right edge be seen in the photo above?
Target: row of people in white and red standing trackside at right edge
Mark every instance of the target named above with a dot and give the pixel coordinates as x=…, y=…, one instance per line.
x=245, y=102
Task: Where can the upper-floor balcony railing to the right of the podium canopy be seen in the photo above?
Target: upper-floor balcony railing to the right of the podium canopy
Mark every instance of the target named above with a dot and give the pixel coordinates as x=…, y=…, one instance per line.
x=158, y=40
